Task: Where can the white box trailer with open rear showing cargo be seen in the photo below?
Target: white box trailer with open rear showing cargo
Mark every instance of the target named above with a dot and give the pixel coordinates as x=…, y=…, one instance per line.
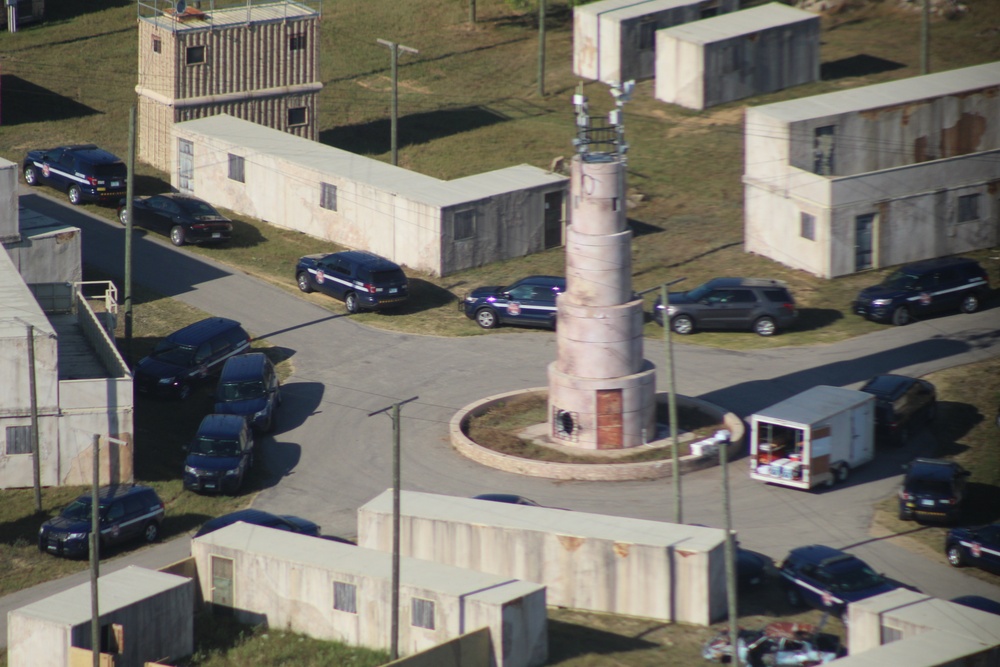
x=813, y=438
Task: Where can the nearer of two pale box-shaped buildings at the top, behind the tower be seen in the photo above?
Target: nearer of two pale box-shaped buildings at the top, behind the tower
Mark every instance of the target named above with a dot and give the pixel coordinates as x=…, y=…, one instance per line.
x=730, y=57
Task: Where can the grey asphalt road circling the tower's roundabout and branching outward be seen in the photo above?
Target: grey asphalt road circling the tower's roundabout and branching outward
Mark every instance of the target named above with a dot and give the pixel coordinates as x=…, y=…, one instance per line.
x=328, y=456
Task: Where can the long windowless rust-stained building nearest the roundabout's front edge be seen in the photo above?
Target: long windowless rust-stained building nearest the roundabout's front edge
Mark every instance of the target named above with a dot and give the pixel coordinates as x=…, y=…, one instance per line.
x=652, y=569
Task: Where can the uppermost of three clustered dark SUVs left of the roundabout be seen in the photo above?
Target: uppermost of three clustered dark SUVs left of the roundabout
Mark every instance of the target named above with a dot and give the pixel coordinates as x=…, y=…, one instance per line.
x=189, y=356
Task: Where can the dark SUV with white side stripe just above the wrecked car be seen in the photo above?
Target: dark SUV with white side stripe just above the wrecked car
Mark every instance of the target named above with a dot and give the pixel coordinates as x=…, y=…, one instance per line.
x=829, y=579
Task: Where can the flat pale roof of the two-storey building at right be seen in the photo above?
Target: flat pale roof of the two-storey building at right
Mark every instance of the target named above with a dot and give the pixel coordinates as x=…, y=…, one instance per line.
x=891, y=93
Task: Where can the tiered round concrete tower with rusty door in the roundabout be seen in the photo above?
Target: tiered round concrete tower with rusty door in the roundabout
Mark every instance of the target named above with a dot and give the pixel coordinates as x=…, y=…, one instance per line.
x=602, y=392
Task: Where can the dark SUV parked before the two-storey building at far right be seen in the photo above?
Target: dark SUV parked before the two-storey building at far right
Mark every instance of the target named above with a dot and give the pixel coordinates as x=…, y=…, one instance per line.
x=924, y=288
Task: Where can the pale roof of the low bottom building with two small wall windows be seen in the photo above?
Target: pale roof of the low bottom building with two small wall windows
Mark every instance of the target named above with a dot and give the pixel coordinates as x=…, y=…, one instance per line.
x=353, y=560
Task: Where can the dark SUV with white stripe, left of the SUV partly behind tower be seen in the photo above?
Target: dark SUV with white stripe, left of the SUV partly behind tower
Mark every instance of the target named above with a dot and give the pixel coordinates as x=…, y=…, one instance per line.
x=361, y=280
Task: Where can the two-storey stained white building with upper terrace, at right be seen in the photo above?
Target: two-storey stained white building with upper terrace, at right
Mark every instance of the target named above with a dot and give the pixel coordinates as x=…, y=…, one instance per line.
x=875, y=176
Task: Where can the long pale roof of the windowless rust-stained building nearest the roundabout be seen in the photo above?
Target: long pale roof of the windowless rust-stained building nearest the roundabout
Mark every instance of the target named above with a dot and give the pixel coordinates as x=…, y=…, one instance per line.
x=547, y=519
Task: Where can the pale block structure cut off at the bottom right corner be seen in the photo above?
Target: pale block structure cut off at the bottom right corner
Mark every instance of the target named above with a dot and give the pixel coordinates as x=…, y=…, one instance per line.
x=904, y=627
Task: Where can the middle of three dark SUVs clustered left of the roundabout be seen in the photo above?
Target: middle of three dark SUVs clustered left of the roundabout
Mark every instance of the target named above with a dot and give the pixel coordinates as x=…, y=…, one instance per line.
x=248, y=386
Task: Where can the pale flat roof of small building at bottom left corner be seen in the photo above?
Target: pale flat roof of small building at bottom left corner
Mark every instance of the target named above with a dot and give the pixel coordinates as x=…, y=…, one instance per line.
x=115, y=590
